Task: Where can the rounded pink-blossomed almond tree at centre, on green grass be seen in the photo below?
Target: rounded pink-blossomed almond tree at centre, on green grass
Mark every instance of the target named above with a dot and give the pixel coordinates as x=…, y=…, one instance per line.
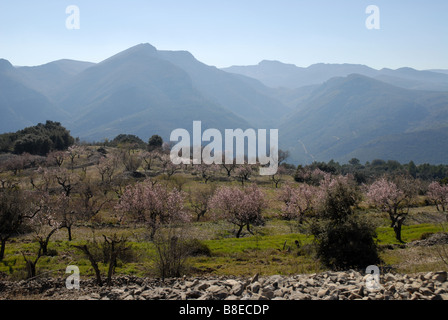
x=240, y=206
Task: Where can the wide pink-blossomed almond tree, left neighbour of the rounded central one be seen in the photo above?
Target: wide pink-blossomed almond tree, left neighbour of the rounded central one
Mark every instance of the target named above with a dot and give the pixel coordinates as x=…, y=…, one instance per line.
x=153, y=205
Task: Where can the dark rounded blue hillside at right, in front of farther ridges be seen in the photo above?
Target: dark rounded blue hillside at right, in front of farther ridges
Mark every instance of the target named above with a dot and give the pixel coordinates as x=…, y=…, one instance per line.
x=346, y=114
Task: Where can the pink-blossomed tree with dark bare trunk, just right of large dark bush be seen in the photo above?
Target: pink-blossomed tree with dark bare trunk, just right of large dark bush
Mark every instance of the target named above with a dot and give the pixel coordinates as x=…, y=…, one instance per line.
x=392, y=199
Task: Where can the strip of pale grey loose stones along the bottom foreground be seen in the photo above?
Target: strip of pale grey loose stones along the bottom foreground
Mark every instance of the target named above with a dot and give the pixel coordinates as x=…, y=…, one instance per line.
x=349, y=285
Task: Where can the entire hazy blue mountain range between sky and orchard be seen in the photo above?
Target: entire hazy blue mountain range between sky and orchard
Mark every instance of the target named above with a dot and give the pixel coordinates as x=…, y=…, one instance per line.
x=323, y=112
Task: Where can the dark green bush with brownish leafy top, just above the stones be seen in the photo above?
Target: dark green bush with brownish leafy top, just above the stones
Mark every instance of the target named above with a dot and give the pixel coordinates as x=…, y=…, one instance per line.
x=344, y=239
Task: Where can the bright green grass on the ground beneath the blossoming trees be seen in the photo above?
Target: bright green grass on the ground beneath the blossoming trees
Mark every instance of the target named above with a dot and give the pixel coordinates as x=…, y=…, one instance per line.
x=271, y=250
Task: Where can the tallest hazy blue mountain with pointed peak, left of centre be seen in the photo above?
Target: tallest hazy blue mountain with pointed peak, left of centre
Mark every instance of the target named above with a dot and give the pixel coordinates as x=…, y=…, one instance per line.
x=137, y=92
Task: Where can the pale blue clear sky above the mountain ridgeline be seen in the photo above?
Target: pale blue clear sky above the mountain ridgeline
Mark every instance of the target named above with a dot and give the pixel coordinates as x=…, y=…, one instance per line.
x=222, y=33
